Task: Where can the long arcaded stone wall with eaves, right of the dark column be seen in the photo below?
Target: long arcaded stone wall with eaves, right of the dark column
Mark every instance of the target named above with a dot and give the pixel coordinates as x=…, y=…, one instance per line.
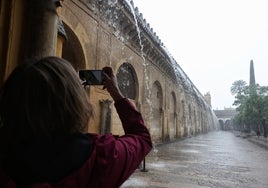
x=102, y=33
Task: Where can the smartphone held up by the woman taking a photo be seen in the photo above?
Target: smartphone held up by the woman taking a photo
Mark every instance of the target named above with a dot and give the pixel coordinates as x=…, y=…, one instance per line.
x=91, y=77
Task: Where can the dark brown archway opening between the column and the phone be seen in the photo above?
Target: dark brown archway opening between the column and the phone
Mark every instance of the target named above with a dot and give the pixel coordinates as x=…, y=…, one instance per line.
x=72, y=49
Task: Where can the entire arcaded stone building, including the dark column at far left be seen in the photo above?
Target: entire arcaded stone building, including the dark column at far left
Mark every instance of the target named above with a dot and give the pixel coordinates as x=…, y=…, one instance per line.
x=104, y=33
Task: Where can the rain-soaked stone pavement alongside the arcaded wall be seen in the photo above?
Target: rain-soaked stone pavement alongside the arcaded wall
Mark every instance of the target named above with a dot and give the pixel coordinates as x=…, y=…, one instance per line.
x=217, y=159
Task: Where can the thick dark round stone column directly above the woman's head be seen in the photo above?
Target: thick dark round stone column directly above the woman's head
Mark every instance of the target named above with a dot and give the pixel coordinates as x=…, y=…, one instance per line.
x=40, y=28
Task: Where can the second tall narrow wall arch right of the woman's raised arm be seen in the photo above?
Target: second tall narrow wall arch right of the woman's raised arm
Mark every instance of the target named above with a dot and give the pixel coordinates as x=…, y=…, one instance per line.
x=172, y=122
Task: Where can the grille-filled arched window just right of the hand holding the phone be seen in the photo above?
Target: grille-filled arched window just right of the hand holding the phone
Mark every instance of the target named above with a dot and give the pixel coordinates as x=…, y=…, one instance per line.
x=127, y=81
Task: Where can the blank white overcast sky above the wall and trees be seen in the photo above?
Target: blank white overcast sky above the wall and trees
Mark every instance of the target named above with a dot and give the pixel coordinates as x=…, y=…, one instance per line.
x=213, y=40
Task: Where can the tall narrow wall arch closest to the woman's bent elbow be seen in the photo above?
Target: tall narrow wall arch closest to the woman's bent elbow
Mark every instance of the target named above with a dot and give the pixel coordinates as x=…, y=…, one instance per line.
x=157, y=131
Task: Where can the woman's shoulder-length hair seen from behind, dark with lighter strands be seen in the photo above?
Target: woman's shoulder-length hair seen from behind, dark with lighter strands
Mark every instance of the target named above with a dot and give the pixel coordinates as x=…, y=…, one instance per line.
x=43, y=99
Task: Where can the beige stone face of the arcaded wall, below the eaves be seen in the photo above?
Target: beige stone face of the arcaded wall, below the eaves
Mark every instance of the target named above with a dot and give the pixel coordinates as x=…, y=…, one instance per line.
x=166, y=117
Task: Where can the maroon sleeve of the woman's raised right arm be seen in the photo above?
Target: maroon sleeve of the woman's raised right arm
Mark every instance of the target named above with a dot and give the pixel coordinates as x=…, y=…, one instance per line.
x=118, y=158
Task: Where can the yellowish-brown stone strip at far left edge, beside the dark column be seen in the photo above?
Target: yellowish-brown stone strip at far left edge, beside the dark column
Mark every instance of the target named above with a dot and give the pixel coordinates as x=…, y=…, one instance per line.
x=11, y=12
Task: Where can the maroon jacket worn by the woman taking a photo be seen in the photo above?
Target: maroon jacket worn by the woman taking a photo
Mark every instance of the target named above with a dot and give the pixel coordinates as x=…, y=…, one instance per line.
x=111, y=160
